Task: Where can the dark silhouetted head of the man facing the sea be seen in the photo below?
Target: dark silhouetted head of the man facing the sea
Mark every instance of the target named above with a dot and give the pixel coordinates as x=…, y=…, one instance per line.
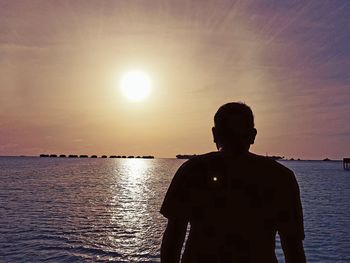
x=234, y=127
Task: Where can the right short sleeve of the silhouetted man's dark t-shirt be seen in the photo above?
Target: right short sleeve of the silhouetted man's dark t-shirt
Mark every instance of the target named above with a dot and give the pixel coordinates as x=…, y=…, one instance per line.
x=290, y=214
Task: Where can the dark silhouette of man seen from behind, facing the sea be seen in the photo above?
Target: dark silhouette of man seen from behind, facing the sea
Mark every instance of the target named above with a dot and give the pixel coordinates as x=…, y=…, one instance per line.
x=234, y=200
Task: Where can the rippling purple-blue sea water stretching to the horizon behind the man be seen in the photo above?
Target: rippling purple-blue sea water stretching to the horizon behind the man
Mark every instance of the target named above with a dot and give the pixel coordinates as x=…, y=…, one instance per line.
x=106, y=210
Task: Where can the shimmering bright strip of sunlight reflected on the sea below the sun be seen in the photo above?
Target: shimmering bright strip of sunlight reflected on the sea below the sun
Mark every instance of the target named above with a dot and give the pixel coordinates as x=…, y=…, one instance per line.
x=130, y=204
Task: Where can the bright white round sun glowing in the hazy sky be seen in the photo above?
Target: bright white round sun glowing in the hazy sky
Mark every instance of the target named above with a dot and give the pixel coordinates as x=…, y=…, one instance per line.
x=135, y=85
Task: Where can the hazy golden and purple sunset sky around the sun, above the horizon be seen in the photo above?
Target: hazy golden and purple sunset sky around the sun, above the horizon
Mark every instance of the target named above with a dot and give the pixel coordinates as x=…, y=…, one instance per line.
x=61, y=63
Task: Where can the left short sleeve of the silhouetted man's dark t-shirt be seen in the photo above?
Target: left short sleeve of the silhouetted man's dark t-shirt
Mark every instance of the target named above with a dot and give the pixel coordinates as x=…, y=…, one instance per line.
x=176, y=204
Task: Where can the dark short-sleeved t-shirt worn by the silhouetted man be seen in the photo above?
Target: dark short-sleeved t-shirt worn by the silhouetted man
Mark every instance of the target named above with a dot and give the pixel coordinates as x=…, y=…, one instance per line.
x=235, y=207
